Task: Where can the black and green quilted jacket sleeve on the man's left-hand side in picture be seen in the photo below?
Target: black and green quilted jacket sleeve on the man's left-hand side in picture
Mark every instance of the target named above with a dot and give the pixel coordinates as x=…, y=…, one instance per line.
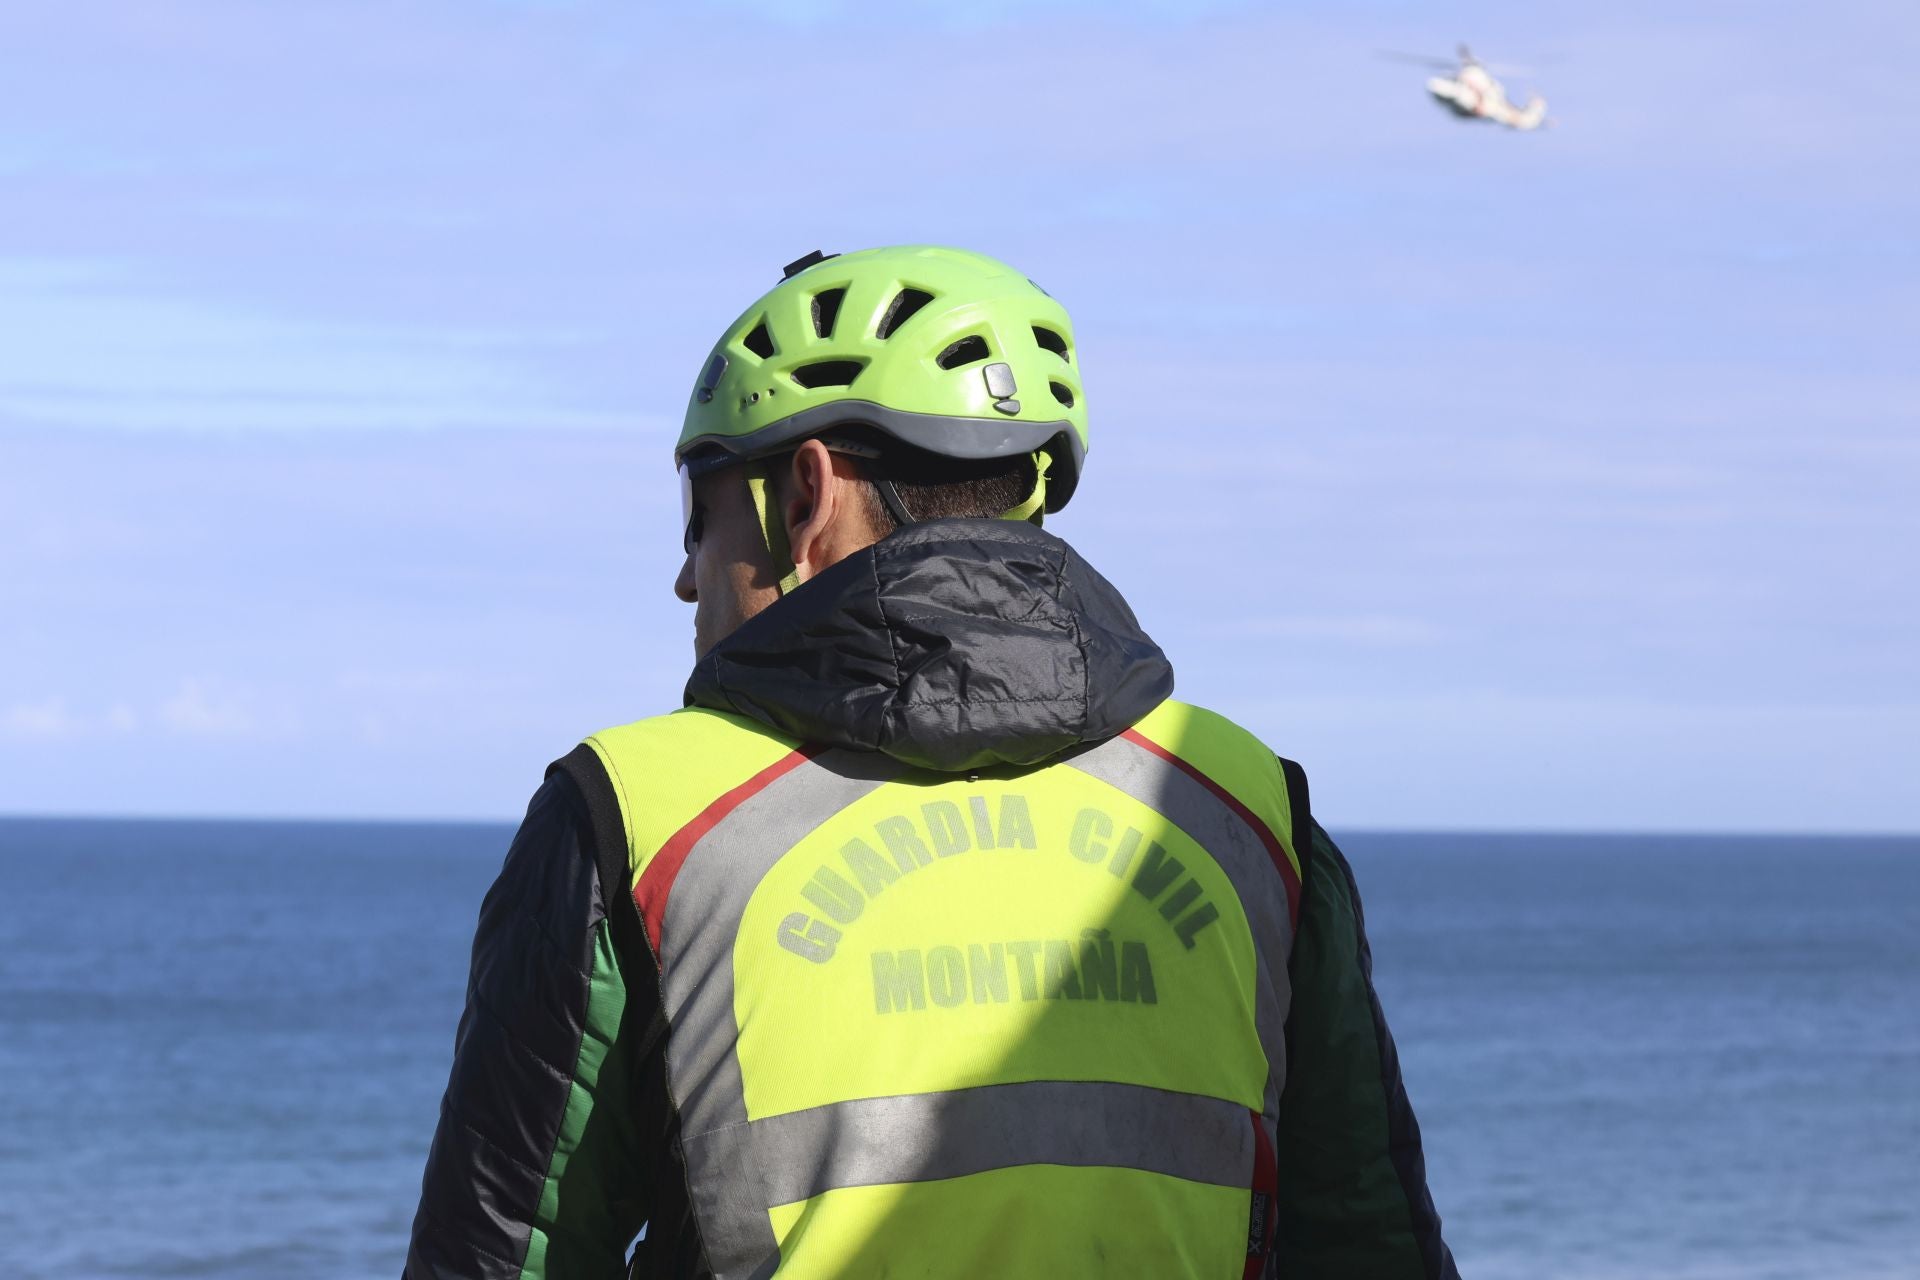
x=533, y=1172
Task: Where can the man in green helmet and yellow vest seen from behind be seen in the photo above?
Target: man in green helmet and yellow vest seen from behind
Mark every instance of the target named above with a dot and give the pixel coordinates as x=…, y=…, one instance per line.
x=932, y=939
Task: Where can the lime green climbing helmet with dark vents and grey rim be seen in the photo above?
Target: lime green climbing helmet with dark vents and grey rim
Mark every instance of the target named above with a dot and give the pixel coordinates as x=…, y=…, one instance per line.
x=942, y=350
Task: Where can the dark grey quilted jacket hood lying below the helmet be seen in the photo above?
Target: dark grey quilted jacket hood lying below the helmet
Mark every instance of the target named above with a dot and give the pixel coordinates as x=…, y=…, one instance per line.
x=948, y=646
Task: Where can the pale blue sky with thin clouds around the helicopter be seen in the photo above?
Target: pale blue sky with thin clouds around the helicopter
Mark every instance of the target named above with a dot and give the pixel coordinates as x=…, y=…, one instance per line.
x=1556, y=481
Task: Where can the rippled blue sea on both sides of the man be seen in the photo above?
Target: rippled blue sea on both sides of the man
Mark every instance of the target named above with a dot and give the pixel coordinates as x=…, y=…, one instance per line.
x=1694, y=1058
